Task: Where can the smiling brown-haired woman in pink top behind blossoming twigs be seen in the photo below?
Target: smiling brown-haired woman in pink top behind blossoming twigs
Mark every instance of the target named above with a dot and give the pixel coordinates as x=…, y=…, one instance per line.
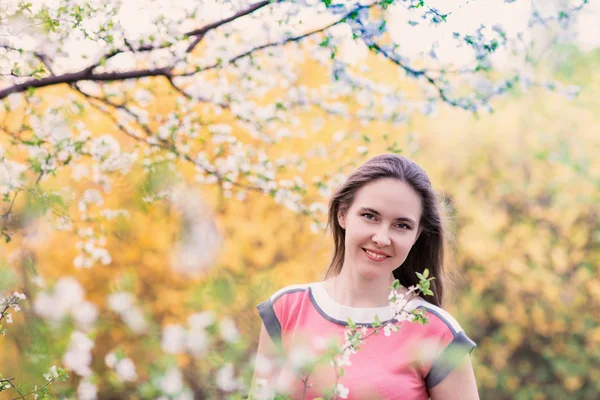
x=386, y=225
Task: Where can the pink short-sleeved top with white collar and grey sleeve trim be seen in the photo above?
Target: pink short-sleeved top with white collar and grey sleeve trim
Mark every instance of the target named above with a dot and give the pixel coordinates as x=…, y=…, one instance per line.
x=404, y=365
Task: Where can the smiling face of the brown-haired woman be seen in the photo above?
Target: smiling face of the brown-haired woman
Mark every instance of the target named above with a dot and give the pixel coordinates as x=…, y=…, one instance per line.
x=382, y=224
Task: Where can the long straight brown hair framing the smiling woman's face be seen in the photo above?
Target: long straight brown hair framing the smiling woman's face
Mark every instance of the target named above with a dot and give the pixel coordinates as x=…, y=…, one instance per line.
x=428, y=250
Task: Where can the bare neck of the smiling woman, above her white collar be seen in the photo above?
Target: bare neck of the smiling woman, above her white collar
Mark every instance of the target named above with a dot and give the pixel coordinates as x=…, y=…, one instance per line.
x=354, y=291
